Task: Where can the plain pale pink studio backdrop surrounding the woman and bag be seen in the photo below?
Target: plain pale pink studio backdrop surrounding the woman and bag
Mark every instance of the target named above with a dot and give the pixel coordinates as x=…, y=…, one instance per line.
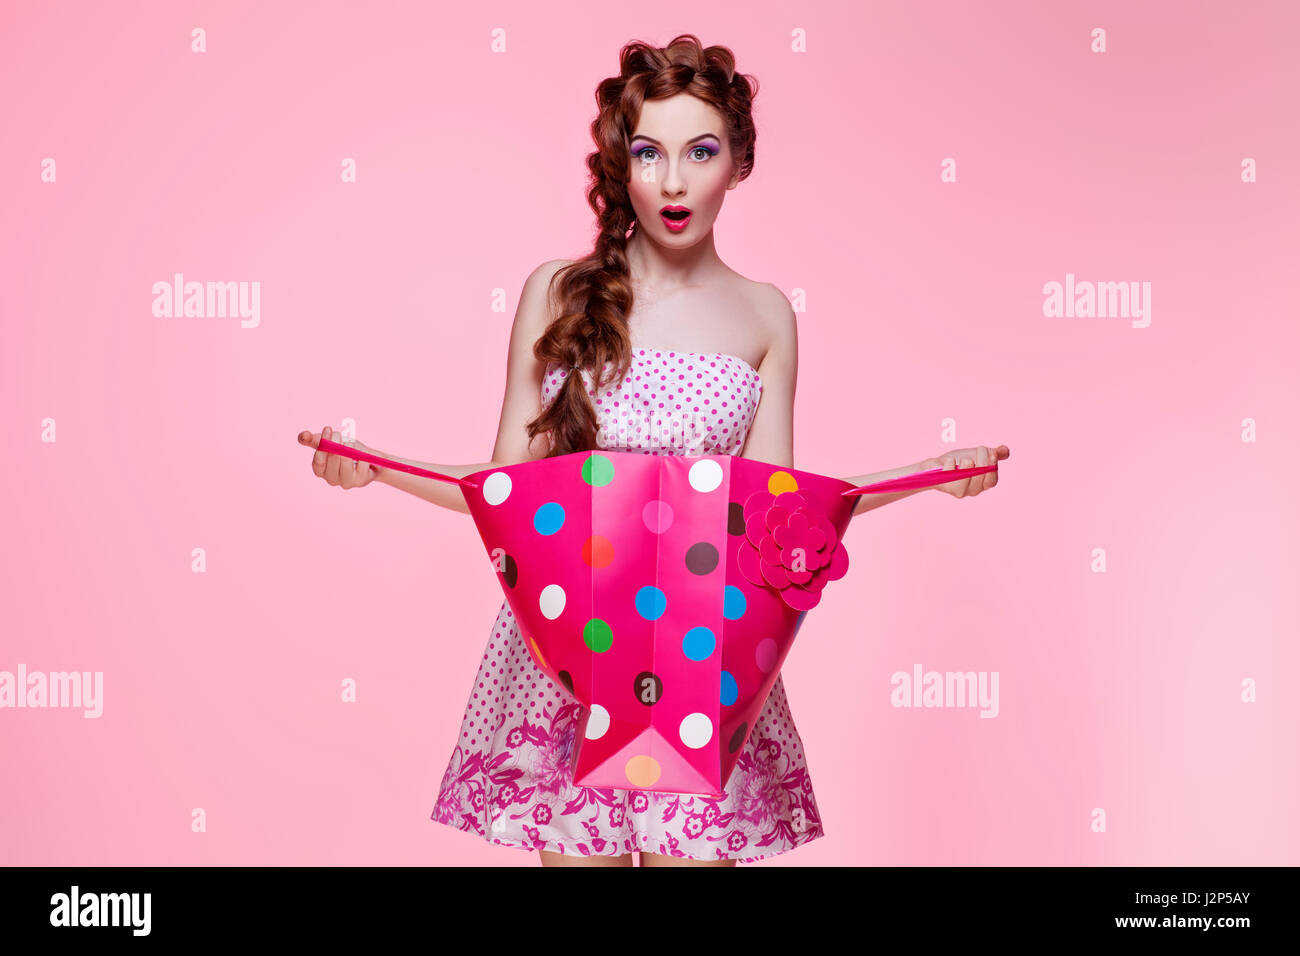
x=918, y=301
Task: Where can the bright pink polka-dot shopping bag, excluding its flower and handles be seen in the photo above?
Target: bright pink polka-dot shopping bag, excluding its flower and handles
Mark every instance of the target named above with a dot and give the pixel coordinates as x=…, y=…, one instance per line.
x=626, y=582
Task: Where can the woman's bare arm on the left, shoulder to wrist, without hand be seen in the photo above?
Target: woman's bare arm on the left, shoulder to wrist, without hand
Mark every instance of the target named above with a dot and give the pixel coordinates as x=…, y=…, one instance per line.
x=521, y=405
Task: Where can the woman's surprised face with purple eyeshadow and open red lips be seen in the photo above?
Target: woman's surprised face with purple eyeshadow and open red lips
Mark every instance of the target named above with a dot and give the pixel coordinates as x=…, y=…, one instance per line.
x=681, y=158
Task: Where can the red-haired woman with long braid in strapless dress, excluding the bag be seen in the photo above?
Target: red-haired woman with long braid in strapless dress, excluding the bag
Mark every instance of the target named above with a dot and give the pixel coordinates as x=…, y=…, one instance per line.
x=651, y=344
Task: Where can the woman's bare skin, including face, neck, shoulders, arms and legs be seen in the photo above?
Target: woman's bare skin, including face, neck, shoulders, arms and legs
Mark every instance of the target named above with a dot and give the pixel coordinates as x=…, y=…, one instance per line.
x=686, y=300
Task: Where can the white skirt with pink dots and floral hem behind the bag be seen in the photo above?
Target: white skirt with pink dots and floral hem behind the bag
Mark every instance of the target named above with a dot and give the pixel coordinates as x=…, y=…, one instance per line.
x=510, y=777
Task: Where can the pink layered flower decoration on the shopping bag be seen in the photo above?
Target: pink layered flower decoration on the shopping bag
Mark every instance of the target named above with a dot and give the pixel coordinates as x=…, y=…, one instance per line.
x=791, y=547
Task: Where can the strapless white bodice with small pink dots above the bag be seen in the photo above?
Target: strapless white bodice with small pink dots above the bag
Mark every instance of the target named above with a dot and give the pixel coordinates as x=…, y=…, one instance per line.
x=673, y=404
